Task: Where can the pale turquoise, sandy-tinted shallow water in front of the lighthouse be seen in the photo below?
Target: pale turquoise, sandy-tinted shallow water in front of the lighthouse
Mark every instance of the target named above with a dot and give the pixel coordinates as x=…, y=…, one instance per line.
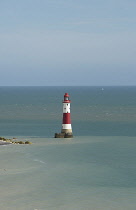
x=81, y=173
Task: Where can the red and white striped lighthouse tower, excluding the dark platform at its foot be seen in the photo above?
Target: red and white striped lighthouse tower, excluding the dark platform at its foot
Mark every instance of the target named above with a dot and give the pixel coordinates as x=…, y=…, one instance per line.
x=66, y=122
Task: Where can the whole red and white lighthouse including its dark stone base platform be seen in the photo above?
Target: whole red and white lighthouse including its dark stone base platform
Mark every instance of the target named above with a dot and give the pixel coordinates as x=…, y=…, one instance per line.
x=66, y=131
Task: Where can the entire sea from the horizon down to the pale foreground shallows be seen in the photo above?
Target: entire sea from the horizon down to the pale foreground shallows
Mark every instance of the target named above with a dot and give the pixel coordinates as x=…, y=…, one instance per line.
x=94, y=170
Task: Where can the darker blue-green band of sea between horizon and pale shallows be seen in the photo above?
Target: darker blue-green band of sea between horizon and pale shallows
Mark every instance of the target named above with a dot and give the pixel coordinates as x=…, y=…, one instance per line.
x=95, y=111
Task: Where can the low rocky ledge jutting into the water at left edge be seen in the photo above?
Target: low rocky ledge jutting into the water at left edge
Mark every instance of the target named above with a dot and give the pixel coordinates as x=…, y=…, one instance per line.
x=4, y=141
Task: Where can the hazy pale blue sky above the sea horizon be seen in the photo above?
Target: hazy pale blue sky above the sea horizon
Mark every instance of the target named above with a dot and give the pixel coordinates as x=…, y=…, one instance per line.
x=67, y=43
